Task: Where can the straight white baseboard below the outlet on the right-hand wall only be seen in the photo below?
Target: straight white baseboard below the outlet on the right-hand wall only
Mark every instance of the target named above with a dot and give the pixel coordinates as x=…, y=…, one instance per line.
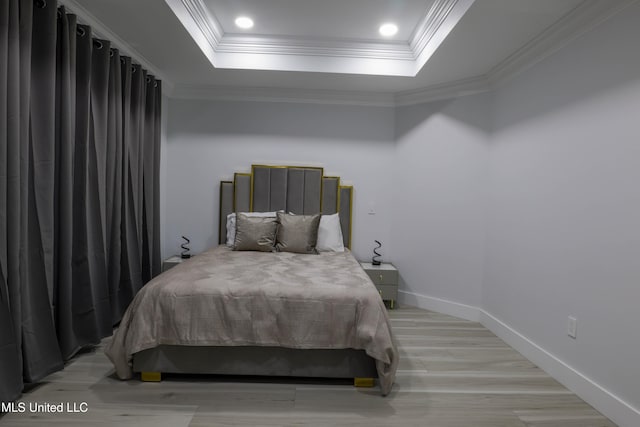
x=610, y=405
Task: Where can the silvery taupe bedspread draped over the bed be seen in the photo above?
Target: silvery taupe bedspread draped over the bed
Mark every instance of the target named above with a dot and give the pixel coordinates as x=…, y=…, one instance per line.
x=231, y=298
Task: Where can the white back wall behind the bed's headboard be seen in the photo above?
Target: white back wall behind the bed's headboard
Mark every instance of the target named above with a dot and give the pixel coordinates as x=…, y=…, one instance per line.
x=210, y=140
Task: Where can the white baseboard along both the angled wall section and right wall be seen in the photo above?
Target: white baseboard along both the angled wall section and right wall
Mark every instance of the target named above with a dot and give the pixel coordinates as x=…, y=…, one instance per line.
x=610, y=405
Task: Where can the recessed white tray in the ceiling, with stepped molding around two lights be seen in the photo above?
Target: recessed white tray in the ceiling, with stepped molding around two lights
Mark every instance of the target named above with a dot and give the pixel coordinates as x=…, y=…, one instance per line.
x=331, y=36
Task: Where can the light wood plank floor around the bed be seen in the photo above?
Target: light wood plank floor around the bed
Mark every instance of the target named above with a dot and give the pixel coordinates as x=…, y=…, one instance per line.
x=452, y=373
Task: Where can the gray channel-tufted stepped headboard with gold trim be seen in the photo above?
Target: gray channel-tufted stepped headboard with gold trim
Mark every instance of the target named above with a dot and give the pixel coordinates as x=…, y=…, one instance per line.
x=302, y=190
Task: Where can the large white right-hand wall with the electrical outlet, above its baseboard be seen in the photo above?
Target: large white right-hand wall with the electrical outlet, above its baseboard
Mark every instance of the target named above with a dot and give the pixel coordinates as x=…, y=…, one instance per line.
x=564, y=207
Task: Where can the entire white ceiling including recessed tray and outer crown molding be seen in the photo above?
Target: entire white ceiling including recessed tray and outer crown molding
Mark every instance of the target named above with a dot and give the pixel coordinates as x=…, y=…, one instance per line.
x=331, y=51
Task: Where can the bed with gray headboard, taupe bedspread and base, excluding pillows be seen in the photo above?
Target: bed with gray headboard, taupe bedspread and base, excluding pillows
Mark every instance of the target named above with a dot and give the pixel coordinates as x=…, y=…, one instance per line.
x=263, y=313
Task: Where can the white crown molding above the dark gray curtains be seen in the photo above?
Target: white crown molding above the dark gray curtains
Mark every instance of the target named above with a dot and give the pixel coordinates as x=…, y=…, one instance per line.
x=101, y=31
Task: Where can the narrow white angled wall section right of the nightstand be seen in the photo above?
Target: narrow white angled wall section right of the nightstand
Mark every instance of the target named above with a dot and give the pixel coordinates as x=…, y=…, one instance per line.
x=441, y=177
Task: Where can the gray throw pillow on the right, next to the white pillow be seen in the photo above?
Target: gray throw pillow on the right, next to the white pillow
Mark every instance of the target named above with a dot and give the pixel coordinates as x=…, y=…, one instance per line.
x=297, y=233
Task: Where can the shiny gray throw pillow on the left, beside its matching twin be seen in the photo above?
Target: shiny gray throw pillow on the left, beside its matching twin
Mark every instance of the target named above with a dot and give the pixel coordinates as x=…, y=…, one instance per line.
x=255, y=233
